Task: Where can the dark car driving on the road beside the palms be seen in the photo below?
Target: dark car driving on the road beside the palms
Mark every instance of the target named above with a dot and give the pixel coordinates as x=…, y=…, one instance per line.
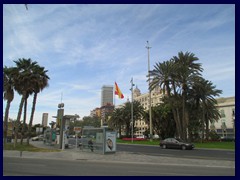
x=175, y=144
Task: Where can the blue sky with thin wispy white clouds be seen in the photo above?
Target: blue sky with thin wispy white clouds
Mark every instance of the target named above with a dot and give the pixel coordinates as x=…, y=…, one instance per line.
x=84, y=47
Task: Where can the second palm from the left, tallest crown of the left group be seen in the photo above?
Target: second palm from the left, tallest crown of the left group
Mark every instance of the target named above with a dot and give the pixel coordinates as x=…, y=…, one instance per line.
x=23, y=85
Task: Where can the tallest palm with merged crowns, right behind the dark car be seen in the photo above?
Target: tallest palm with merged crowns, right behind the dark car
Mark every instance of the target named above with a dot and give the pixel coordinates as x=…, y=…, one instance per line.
x=176, y=76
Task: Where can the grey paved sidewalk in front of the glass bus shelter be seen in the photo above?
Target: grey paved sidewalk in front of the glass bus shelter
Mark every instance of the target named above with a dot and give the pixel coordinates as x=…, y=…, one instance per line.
x=118, y=157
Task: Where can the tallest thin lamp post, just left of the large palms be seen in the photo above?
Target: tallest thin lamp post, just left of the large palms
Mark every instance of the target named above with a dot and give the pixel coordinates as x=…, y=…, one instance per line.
x=150, y=99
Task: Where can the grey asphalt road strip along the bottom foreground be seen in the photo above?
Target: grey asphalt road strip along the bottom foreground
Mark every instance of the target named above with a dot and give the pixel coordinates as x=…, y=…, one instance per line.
x=16, y=166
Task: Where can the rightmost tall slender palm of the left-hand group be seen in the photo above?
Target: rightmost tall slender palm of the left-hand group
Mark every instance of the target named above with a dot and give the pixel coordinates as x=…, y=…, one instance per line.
x=39, y=82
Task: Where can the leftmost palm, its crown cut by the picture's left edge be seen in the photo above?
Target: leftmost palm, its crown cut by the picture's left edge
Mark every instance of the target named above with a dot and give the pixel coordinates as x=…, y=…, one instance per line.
x=8, y=91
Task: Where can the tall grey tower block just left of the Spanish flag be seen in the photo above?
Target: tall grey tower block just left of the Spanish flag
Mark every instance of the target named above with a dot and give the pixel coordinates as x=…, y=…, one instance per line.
x=107, y=95
